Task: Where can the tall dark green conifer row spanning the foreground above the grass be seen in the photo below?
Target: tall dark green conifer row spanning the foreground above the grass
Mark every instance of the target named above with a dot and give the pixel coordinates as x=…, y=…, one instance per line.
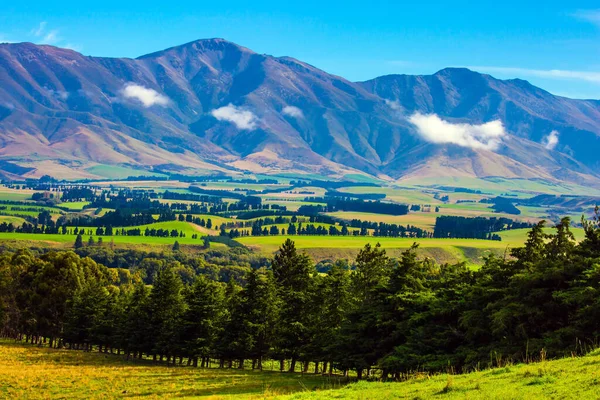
x=381, y=316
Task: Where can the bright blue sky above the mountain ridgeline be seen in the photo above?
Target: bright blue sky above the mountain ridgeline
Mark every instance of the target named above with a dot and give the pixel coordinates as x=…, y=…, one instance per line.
x=553, y=44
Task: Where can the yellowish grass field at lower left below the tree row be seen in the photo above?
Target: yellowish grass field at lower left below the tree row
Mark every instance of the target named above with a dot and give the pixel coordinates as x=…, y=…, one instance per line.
x=30, y=372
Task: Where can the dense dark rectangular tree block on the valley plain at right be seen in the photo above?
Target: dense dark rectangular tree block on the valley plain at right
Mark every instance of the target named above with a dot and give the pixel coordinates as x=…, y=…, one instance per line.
x=474, y=227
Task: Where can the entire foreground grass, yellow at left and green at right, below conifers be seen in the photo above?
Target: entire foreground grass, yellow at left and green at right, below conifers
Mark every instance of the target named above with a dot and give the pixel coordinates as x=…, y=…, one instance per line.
x=30, y=372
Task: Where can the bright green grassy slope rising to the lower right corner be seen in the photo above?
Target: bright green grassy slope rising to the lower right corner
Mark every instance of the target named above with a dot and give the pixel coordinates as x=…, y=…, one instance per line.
x=568, y=378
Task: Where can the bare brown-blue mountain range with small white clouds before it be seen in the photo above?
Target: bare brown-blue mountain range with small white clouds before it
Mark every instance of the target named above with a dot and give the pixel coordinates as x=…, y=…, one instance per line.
x=211, y=105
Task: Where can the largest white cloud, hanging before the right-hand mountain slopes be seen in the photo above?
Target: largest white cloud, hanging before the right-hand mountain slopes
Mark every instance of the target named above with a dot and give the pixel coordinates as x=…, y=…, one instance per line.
x=433, y=129
